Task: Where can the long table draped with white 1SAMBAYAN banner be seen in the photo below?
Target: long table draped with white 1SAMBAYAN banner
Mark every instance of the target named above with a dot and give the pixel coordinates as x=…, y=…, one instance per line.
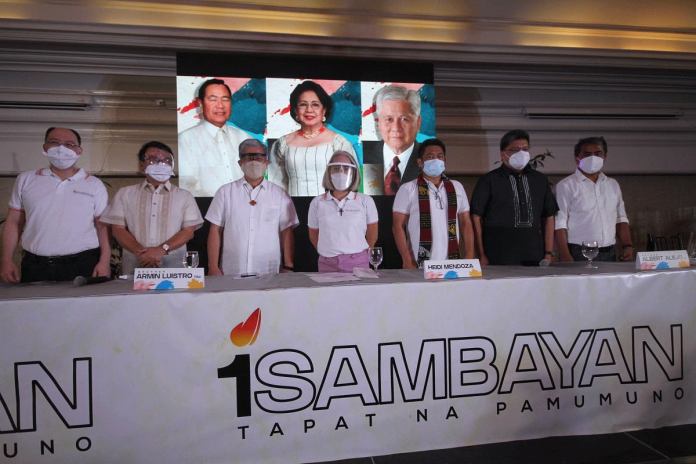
x=281, y=369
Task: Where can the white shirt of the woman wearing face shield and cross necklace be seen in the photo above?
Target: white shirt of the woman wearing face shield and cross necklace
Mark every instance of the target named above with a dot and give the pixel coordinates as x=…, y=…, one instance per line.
x=342, y=224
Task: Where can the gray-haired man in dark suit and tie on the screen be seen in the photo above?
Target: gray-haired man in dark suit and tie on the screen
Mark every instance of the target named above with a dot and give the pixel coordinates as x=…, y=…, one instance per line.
x=397, y=120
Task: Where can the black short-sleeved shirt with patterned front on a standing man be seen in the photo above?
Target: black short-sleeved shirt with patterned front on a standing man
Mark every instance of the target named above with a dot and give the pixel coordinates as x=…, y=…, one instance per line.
x=511, y=205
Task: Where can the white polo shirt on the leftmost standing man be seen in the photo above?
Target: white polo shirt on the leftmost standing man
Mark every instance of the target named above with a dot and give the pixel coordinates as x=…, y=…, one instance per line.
x=59, y=214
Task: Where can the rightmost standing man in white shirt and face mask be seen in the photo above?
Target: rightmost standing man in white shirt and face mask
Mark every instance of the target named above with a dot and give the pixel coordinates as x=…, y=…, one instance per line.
x=591, y=207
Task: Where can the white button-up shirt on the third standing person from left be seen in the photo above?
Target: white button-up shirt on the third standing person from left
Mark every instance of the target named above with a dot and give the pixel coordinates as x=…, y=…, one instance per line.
x=251, y=235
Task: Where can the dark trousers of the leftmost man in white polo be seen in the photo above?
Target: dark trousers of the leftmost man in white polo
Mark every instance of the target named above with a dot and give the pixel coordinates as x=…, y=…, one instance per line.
x=37, y=268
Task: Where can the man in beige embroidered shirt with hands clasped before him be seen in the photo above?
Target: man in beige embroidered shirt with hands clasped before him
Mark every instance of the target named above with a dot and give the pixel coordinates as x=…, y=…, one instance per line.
x=154, y=219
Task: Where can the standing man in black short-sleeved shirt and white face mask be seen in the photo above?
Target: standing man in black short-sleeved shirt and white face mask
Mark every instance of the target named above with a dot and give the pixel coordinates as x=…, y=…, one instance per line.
x=512, y=208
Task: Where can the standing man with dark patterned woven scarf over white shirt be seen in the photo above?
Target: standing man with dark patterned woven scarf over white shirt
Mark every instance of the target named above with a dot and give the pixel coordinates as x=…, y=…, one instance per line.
x=430, y=218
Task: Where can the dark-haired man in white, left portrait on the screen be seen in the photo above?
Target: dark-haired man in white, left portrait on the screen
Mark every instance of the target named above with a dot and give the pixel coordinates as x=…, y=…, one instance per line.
x=208, y=151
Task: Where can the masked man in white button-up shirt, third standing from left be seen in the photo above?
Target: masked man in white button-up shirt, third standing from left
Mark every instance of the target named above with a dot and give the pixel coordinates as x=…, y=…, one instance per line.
x=251, y=221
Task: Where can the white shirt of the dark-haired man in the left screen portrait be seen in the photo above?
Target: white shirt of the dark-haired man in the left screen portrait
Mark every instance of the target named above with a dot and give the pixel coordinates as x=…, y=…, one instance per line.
x=208, y=157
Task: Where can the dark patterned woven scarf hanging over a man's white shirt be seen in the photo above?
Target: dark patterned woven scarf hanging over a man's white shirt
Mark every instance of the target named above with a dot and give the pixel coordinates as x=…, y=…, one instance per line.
x=426, y=236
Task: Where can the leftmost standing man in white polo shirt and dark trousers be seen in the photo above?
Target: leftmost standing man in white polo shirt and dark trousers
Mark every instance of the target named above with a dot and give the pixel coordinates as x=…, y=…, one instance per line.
x=55, y=210
